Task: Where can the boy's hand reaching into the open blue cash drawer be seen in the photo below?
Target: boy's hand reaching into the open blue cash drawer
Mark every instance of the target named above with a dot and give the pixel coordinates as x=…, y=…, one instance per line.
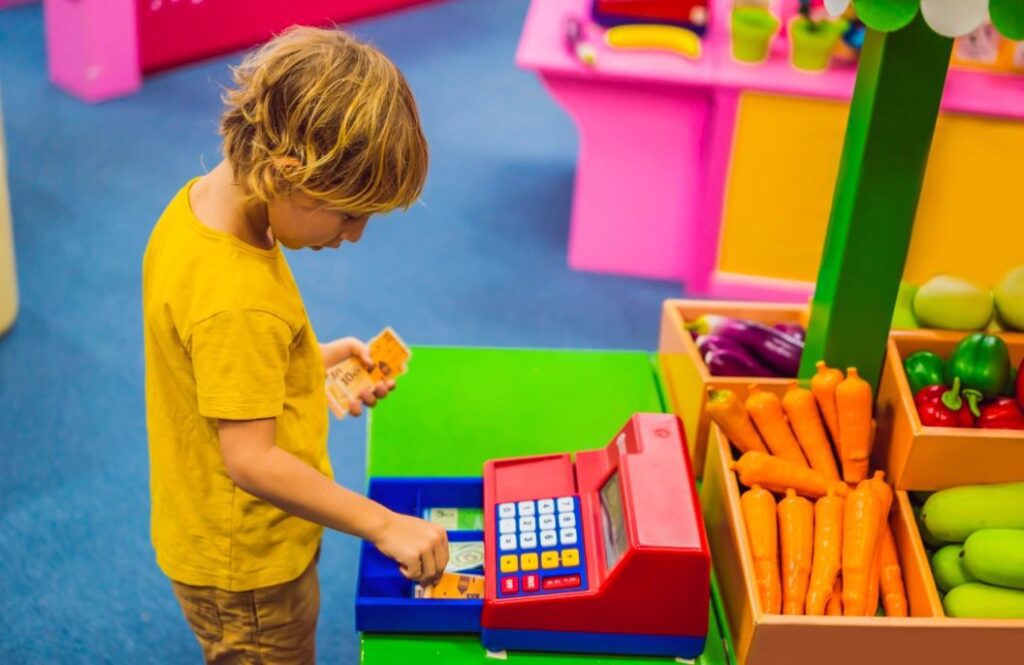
x=418, y=547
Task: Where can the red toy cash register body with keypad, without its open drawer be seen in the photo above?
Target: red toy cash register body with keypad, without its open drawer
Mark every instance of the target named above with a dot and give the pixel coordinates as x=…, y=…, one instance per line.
x=607, y=555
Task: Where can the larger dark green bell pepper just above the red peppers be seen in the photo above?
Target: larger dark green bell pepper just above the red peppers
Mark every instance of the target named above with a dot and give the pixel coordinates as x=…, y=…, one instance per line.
x=983, y=364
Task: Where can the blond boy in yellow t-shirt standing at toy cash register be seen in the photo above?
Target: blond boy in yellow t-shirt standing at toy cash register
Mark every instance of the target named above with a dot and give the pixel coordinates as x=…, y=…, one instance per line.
x=320, y=133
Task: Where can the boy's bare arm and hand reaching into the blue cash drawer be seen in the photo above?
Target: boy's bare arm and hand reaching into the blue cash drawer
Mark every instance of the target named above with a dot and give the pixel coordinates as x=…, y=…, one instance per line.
x=264, y=470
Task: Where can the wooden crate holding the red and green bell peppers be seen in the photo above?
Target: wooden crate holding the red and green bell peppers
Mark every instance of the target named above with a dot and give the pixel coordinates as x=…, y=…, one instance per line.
x=932, y=459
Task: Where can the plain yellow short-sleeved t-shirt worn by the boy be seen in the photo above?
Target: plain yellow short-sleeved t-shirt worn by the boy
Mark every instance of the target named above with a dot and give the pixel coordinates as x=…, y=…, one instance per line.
x=227, y=338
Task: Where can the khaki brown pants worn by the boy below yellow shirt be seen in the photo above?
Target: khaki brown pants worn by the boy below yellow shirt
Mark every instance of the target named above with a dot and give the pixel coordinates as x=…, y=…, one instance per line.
x=268, y=627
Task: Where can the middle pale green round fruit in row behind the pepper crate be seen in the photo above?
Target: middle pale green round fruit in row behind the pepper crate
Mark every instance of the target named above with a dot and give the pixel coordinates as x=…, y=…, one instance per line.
x=953, y=304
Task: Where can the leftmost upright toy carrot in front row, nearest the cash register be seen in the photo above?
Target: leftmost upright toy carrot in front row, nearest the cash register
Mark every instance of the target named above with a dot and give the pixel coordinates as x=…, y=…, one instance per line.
x=759, y=513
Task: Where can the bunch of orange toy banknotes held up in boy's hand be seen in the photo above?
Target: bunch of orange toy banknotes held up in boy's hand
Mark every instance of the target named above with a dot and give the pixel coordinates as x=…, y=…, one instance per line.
x=350, y=379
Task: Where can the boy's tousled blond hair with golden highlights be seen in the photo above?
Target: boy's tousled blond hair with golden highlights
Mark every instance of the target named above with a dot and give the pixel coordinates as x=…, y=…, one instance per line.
x=317, y=111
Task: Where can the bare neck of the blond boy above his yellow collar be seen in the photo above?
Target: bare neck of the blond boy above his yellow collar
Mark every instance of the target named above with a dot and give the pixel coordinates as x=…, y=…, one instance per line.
x=221, y=203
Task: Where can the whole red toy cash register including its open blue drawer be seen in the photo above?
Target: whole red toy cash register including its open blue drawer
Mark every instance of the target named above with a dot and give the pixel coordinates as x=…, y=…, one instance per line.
x=606, y=555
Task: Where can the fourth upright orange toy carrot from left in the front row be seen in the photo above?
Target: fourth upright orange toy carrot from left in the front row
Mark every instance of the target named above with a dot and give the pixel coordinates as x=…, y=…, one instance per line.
x=861, y=536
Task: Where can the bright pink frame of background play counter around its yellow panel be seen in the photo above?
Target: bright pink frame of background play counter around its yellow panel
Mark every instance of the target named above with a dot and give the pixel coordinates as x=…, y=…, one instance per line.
x=657, y=135
